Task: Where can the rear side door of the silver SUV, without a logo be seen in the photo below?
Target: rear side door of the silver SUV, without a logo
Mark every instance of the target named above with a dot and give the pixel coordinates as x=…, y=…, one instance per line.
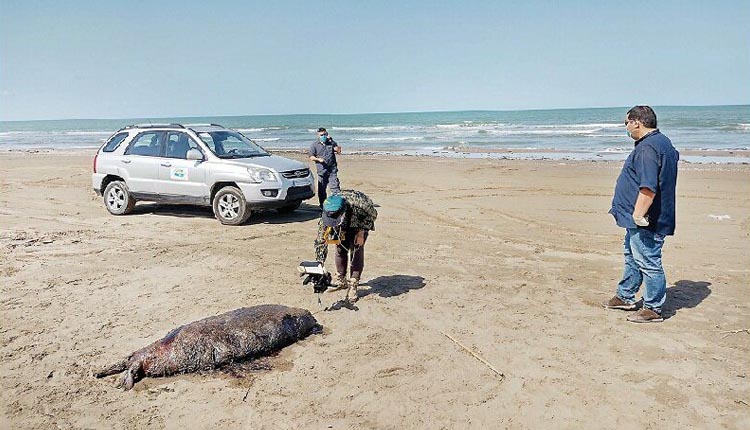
x=141, y=161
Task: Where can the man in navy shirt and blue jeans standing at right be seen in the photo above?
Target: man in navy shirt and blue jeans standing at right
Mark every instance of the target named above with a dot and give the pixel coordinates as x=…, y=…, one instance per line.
x=644, y=205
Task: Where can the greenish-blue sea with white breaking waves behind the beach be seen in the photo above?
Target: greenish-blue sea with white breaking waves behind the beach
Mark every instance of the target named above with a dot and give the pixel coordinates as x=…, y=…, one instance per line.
x=587, y=134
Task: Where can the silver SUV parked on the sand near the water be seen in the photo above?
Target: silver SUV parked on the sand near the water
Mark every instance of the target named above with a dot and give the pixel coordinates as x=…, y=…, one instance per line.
x=206, y=165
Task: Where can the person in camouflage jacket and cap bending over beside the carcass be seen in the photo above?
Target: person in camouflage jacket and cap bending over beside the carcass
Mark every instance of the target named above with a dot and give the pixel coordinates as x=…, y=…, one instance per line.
x=346, y=221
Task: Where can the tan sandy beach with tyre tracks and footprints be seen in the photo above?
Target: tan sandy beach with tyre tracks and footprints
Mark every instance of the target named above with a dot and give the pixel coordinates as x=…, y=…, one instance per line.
x=508, y=258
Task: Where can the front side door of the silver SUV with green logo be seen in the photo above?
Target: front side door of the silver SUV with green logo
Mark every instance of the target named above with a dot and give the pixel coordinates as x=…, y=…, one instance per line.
x=179, y=176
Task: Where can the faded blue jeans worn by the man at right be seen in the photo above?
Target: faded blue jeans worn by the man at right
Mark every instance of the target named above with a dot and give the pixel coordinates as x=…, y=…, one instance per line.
x=643, y=265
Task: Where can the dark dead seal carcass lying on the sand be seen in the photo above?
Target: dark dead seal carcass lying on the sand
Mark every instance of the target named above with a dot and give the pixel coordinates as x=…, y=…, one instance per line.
x=215, y=341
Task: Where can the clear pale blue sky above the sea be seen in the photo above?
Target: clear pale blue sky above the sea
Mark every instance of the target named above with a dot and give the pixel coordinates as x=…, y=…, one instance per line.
x=134, y=59
